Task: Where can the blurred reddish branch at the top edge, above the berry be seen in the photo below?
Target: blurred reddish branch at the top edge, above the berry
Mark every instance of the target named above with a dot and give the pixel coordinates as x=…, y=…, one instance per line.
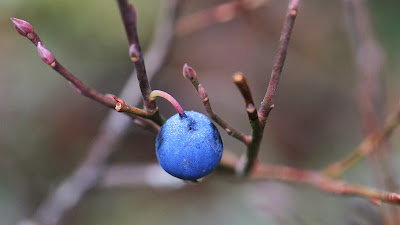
x=222, y=13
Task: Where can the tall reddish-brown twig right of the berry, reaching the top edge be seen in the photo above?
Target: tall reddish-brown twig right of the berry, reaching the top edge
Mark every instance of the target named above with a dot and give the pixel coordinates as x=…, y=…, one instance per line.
x=268, y=103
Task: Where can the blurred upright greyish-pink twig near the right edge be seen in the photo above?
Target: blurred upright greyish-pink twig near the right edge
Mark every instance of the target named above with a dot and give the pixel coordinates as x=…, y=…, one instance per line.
x=370, y=61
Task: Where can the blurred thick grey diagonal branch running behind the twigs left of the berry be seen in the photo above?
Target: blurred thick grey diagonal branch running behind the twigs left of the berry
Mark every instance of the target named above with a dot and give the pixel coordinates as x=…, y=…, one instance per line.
x=69, y=192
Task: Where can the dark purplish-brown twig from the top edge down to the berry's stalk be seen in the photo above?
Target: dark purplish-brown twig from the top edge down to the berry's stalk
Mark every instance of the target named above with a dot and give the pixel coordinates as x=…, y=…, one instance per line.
x=129, y=19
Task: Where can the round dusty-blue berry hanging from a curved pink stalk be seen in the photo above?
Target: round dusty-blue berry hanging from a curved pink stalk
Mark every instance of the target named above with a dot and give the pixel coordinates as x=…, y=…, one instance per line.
x=189, y=147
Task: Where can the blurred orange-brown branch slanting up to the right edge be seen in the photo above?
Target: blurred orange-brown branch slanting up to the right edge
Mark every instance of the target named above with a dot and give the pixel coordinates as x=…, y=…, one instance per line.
x=370, y=143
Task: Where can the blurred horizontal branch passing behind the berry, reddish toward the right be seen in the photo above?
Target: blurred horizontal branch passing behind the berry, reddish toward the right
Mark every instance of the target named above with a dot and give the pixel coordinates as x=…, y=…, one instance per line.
x=127, y=176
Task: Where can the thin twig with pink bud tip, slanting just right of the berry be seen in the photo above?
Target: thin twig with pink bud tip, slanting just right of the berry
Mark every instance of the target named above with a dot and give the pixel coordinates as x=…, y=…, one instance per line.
x=190, y=74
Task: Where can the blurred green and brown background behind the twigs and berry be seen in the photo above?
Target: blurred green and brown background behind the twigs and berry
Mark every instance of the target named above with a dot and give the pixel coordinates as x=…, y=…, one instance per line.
x=46, y=127
